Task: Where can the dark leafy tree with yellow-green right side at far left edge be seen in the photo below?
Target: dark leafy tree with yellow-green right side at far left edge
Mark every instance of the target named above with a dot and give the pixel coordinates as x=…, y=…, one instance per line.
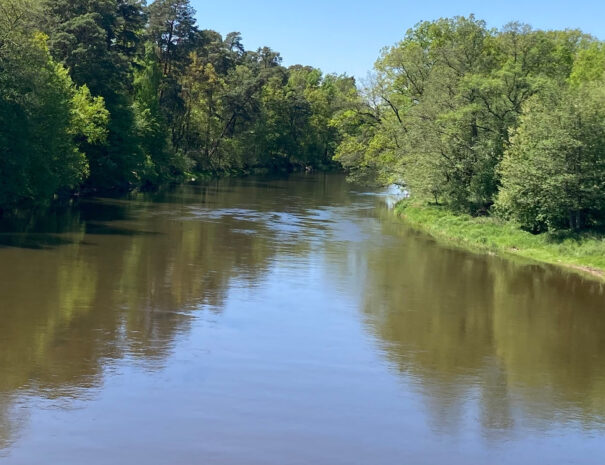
x=45, y=118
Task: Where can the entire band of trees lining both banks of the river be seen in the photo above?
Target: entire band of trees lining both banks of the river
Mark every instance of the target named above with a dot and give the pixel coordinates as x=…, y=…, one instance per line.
x=116, y=94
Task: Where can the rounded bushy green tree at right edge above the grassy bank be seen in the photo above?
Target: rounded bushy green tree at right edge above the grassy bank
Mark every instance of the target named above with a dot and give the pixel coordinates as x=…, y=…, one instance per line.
x=553, y=174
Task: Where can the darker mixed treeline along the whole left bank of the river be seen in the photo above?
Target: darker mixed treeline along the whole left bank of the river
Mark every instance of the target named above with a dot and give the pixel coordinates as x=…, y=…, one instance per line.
x=115, y=94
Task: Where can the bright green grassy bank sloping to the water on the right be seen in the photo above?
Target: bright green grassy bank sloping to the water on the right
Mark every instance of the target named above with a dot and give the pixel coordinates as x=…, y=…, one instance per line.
x=583, y=252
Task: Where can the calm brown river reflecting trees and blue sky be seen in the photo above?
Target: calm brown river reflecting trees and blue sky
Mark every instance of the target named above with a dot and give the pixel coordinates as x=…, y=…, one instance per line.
x=286, y=321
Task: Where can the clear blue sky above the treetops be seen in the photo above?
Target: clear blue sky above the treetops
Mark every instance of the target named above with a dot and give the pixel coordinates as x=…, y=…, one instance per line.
x=347, y=35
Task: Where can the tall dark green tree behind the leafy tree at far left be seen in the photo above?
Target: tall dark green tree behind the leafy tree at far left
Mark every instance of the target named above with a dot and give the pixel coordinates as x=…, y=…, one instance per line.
x=97, y=40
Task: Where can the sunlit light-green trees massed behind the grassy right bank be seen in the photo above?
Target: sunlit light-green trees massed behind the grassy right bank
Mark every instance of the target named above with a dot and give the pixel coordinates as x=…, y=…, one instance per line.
x=508, y=122
